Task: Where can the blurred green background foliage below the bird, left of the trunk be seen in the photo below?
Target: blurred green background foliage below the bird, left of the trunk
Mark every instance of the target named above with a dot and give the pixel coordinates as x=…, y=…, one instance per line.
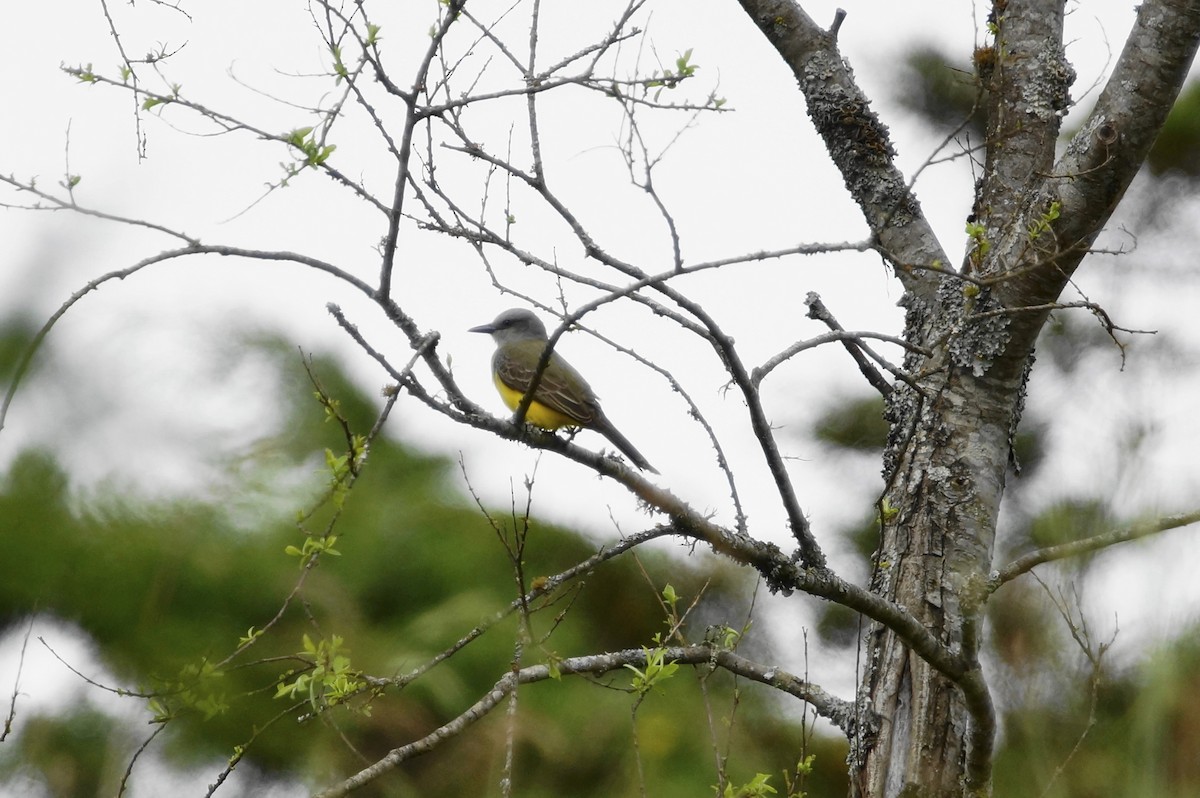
x=166, y=590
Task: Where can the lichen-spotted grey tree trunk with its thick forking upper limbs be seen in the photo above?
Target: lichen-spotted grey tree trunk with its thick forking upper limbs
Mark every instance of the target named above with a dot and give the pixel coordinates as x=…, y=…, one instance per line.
x=933, y=727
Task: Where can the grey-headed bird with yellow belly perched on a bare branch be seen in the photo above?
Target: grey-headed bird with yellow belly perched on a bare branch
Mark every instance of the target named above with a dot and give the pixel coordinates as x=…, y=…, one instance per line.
x=563, y=399
